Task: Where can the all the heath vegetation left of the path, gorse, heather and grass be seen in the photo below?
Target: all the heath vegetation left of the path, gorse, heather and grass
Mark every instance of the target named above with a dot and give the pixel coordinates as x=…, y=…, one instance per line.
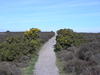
x=19, y=49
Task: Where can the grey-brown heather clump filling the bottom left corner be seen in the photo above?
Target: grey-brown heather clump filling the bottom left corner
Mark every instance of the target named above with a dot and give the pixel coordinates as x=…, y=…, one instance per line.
x=7, y=68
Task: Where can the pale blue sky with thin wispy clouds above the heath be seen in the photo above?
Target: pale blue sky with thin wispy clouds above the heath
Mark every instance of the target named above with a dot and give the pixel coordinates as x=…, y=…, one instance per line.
x=50, y=15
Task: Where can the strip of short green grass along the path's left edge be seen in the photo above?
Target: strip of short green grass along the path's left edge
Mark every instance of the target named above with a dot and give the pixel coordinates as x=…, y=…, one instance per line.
x=30, y=68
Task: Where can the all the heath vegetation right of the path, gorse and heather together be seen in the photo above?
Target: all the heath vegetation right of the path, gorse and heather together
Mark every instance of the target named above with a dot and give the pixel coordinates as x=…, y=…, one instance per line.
x=78, y=53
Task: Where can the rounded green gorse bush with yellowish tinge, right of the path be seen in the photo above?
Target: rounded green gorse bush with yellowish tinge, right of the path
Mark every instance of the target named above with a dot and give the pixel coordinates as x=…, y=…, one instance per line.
x=66, y=38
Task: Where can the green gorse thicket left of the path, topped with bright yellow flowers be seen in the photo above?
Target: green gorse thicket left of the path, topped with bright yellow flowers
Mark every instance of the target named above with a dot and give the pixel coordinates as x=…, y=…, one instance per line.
x=14, y=47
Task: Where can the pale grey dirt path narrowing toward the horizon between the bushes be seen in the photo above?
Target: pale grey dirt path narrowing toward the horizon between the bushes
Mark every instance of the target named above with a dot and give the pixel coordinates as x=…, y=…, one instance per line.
x=46, y=64
